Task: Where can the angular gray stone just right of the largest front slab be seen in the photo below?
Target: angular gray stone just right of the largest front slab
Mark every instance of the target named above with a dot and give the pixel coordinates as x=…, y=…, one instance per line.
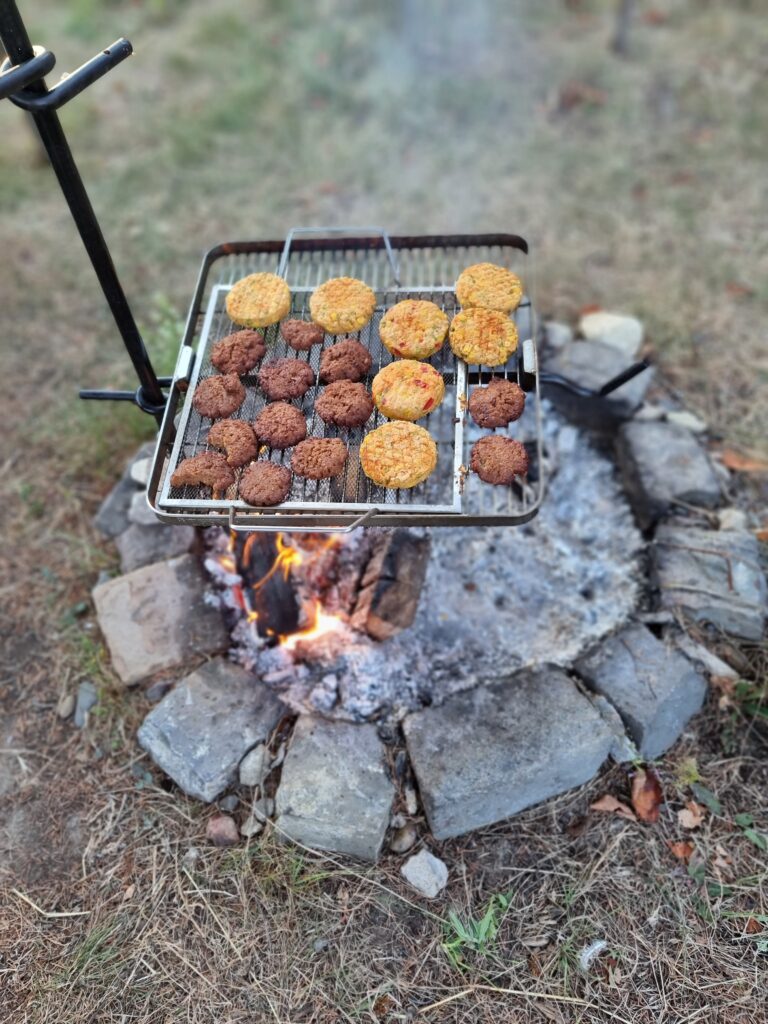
x=654, y=688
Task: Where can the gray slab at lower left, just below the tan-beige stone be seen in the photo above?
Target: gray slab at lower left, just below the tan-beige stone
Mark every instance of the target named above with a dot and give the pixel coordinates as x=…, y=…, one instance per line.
x=200, y=732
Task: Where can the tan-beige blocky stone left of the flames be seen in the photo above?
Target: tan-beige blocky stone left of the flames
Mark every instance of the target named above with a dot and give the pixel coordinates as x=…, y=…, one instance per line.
x=156, y=618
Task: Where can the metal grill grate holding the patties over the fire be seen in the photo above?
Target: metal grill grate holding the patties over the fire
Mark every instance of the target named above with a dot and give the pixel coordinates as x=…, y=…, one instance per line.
x=449, y=496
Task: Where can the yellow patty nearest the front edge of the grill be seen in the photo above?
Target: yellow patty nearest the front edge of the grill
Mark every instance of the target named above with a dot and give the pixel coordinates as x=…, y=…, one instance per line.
x=399, y=455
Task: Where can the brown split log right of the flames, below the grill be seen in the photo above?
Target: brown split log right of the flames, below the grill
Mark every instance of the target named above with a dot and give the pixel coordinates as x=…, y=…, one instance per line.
x=392, y=583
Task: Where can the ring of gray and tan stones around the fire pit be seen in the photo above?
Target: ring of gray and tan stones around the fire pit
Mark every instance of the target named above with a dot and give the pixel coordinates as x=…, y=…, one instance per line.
x=484, y=753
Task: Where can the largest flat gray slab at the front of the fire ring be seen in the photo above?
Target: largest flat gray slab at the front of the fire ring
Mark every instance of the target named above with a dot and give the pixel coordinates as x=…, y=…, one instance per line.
x=492, y=752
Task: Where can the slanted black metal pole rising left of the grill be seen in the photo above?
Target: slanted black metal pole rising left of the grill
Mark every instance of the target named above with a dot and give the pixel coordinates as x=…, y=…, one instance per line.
x=19, y=49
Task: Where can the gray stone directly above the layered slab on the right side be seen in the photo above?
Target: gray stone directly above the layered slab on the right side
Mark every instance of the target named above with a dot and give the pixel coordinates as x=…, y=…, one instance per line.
x=663, y=464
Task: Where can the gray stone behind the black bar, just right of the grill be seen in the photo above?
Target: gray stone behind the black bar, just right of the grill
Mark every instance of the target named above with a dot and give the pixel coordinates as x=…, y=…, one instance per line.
x=590, y=365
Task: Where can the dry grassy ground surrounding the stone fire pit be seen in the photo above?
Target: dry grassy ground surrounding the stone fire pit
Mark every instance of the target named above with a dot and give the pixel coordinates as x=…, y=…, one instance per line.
x=641, y=182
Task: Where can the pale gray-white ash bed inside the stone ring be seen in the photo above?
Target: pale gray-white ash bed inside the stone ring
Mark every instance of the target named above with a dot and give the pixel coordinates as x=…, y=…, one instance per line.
x=495, y=601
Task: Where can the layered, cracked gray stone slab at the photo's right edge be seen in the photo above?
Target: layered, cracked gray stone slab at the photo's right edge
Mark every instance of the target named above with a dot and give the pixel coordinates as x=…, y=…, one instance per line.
x=713, y=577
